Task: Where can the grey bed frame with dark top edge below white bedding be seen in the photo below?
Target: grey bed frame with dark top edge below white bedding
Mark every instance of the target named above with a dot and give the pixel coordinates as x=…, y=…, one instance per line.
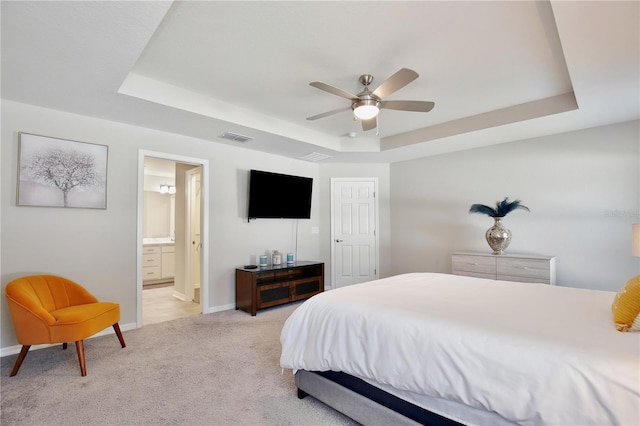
x=363, y=402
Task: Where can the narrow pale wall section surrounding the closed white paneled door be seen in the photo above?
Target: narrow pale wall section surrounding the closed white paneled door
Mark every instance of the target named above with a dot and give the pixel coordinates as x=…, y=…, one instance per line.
x=379, y=171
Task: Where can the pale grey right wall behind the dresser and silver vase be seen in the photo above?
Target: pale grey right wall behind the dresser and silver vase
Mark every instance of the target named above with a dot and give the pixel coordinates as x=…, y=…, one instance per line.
x=582, y=188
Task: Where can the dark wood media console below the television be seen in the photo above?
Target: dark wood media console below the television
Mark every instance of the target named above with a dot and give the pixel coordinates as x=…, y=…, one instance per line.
x=275, y=285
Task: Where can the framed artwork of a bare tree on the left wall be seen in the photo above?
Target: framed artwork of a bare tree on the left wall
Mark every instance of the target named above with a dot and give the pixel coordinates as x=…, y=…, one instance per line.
x=56, y=172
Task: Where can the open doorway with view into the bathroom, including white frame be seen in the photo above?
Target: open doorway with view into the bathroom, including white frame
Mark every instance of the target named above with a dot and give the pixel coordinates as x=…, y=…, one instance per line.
x=171, y=244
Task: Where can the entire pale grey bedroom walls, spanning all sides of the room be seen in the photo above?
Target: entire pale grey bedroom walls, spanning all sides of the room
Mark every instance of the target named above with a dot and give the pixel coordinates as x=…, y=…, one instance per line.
x=582, y=187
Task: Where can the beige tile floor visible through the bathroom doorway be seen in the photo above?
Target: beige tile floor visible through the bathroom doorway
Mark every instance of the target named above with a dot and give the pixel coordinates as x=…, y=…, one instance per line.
x=158, y=305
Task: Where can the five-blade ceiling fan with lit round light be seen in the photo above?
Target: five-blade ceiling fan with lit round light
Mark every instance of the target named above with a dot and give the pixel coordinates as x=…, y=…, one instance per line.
x=367, y=104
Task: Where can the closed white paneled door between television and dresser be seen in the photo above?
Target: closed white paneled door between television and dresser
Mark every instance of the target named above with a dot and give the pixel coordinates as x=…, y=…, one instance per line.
x=354, y=221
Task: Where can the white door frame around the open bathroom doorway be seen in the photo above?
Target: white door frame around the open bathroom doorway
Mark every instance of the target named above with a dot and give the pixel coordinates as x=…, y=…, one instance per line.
x=204, y=225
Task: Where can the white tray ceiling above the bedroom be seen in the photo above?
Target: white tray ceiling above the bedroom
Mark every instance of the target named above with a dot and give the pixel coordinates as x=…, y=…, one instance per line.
x=498, y=71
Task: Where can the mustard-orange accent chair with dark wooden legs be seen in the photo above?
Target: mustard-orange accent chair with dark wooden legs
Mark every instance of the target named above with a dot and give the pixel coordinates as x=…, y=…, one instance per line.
x=50, y=309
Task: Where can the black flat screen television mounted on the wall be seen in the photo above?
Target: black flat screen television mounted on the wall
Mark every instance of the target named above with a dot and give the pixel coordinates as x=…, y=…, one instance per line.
x=278, y=196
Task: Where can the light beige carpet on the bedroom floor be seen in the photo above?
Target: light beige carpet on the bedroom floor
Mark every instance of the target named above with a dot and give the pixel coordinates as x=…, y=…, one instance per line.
x=214, y=369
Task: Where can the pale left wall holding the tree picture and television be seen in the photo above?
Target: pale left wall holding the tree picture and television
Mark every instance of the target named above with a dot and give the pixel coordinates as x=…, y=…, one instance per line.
x=98, y=247
